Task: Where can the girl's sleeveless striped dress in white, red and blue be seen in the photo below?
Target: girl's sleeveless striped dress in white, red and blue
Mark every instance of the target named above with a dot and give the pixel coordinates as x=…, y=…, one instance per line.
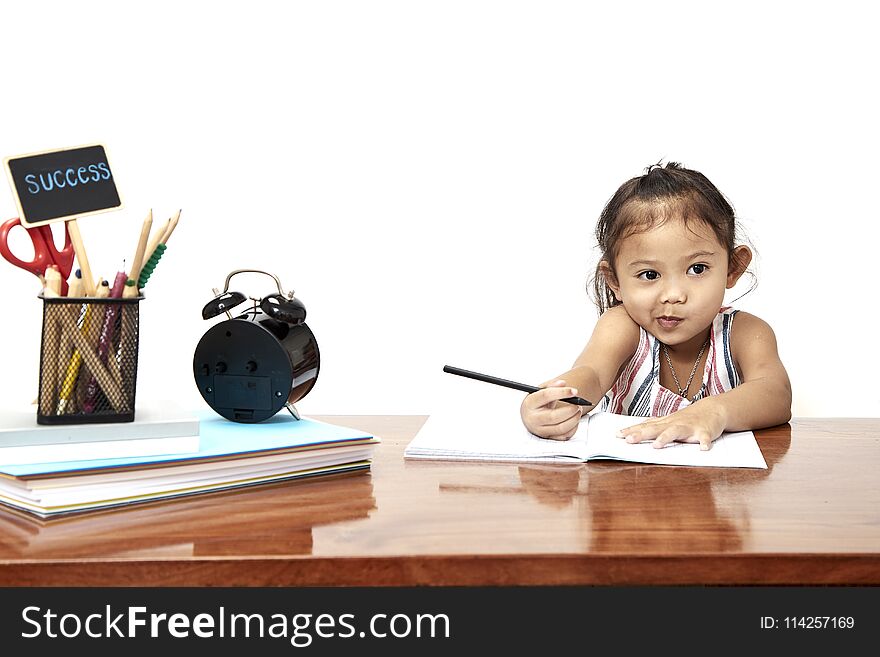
x=638, y=392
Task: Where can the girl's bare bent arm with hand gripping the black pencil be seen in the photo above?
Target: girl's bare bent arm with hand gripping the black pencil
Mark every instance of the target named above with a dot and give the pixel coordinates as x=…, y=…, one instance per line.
x=612, y=344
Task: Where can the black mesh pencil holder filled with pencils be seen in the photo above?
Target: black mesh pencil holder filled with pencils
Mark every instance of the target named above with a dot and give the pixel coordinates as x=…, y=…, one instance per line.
x=88, y=360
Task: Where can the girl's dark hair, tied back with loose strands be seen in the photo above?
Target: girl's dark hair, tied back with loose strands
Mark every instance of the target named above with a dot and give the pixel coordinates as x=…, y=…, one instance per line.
x=640, y=203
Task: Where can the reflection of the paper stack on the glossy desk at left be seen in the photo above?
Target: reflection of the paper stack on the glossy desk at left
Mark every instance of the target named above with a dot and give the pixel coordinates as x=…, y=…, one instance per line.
x=277, y=519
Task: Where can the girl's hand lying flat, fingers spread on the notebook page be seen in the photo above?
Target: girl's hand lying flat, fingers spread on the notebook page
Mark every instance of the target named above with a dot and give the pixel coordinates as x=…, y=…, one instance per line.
x=699, y=423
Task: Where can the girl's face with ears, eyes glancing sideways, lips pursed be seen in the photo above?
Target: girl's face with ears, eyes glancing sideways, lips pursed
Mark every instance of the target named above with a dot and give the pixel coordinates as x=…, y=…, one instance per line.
x=671, y=280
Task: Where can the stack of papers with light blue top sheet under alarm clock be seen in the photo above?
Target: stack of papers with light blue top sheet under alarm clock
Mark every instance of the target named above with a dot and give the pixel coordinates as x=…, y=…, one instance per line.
x=230, y=455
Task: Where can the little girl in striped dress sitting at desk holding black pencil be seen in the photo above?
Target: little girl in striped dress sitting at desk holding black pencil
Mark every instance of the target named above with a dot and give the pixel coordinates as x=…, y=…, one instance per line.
x=664, y=347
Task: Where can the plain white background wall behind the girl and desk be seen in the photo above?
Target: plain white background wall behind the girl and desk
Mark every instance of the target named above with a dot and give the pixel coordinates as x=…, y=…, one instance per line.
x=427, y=175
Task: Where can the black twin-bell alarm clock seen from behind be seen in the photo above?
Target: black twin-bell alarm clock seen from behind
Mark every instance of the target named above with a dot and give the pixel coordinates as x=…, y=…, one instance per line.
x=249, y=367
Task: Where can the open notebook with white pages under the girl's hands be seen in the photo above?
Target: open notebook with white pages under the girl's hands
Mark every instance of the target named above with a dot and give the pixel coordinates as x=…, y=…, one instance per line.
x=497, y=434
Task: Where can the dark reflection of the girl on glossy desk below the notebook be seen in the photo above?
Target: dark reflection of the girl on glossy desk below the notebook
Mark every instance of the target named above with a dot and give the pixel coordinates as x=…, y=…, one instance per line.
x=620, y=507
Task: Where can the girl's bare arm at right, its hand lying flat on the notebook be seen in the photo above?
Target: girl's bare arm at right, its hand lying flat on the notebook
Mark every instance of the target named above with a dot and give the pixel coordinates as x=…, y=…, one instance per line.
x=763, y=399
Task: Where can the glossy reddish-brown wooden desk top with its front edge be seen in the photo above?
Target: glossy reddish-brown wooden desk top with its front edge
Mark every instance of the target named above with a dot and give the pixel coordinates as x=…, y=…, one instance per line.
x=812, y=518
